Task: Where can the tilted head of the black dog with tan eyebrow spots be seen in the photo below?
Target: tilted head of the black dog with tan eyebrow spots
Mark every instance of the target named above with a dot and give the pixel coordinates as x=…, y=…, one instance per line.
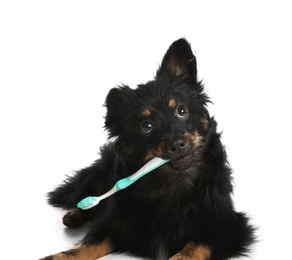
x=166, y=117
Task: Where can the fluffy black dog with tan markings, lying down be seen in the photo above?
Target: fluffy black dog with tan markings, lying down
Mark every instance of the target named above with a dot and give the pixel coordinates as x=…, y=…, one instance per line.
x=183, y=209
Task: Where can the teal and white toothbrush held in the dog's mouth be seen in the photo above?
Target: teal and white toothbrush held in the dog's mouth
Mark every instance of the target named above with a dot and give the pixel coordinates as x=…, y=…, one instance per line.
x=92, y=201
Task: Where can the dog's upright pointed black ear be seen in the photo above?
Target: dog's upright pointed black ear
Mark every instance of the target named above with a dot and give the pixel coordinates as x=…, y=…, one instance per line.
x=179, y=61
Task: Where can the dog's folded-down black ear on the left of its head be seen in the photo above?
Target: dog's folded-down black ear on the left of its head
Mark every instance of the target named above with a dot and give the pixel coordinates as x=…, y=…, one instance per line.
x=118, y=104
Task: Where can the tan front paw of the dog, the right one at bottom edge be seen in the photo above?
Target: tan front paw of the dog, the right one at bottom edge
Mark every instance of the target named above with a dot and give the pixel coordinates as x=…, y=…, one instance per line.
x=192, y=251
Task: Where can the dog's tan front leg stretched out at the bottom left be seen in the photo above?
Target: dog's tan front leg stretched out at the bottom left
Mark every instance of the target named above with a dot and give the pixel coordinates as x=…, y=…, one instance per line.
x=84, y=252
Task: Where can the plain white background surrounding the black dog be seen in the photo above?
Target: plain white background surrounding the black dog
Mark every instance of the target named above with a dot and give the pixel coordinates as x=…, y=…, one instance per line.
x=58, y=60
